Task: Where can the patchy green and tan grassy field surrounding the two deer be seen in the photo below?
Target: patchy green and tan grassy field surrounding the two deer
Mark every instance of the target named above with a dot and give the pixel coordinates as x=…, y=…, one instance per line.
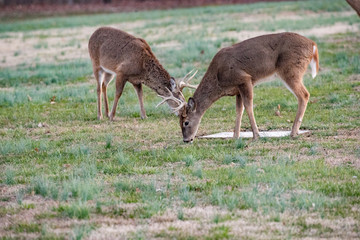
x=66, y=175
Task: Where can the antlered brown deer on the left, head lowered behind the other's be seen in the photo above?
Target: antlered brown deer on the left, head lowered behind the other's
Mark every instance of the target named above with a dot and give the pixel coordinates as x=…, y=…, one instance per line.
x=114, y=52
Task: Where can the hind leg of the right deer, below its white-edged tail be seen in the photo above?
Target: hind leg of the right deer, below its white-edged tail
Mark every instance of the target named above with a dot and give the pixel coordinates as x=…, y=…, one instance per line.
x=298, y=89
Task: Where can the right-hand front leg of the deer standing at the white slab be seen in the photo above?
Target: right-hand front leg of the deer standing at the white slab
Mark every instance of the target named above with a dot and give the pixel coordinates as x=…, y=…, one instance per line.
x=246, y=92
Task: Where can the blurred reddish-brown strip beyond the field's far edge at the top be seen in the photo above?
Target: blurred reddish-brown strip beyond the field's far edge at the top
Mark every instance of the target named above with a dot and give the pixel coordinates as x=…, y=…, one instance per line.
x=21, y=8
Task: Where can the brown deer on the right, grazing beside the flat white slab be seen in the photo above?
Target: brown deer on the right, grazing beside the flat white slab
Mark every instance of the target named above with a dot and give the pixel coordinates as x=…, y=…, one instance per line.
x=235, y=70
